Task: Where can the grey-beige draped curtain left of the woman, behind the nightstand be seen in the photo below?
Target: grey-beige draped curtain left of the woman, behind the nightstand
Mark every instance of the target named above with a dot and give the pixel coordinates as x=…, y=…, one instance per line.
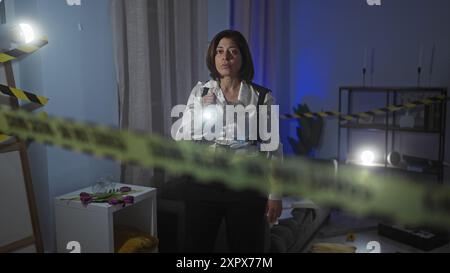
x=160, y=49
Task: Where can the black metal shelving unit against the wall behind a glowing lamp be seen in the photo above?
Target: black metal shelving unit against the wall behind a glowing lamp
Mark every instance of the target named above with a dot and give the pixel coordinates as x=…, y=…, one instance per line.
x=435, y=124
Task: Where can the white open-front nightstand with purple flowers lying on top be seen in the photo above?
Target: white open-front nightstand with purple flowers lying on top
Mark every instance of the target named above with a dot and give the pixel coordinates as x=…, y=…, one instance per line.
x=93, y=226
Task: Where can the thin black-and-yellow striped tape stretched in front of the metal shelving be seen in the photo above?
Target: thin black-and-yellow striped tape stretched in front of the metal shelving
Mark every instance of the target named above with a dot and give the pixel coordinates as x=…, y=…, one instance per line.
x=374, y=112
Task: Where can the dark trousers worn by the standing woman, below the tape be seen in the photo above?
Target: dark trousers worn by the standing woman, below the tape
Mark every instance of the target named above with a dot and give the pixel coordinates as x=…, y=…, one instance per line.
x=243, y=211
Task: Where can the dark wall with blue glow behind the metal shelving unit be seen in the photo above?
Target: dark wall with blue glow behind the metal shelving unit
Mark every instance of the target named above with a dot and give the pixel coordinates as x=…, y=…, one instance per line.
x=328, y=42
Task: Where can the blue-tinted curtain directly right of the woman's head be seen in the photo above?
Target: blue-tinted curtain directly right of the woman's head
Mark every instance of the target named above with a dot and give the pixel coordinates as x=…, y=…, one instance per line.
x=265, y=23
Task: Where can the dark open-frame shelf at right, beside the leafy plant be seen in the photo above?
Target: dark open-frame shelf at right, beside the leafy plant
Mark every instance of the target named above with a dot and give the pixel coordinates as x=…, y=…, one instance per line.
x=433, y=124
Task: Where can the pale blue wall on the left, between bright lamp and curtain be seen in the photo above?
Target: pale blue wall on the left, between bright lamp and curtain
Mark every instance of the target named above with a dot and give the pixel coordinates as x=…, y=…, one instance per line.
x=76, y=71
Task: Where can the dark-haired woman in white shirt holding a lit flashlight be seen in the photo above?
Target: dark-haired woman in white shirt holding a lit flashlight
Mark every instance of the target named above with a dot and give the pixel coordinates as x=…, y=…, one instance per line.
x=231, y=66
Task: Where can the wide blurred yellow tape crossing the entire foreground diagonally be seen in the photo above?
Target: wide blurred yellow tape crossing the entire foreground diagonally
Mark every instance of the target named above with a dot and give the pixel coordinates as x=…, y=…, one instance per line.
x=357, y=190
